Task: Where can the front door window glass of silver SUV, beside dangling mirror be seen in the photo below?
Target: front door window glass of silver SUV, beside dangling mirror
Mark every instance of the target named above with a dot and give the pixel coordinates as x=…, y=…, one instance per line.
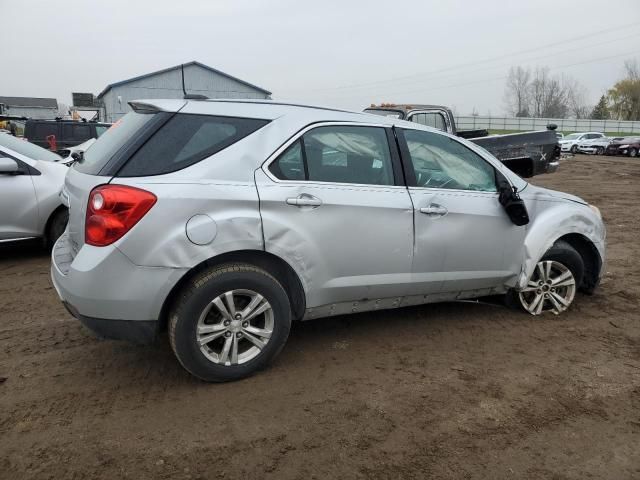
x=442, y=162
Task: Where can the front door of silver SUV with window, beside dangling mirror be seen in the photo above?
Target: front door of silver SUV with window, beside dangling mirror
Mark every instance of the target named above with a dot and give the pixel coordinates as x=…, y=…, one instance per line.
x=464, y=238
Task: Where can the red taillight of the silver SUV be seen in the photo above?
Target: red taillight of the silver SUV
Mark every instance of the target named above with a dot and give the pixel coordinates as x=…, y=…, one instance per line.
x=113, y=210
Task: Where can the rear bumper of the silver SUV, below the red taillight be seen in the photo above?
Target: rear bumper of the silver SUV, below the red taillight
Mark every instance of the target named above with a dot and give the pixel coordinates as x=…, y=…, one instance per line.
x=108, y=293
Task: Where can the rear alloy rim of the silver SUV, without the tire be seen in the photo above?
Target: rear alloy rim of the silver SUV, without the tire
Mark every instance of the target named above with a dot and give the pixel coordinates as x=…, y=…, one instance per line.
x=235, y=327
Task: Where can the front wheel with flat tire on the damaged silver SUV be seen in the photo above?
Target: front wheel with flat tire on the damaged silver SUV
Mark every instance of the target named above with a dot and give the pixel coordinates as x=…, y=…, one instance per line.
x=554, y=282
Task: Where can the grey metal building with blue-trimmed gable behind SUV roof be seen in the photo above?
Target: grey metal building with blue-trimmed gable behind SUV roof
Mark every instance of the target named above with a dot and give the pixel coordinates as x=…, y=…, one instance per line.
x=198, y=79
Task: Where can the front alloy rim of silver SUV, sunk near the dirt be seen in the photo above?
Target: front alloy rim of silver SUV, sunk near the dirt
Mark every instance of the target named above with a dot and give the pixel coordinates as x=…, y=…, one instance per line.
x=552, y=287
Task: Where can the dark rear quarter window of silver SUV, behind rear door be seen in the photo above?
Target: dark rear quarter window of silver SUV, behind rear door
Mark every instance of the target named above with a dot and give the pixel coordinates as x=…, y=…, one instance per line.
x=185, y=140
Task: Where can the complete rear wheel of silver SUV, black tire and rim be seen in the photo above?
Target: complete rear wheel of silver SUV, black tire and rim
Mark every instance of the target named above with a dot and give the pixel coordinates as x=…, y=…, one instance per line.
x=229, y=322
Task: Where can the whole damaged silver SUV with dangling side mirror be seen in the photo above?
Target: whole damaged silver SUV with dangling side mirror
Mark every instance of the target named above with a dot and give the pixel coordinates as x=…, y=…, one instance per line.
x=224, y=221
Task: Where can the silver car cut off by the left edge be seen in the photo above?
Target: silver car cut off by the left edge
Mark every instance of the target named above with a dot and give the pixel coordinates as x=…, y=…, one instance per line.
x=30, y=183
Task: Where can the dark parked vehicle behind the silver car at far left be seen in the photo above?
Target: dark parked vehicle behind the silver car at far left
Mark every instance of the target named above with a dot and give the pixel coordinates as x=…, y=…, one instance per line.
x=67, y=133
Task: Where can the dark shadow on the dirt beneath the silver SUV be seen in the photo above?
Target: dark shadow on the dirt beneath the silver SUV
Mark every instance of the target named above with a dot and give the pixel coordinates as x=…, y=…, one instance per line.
x=132, y=367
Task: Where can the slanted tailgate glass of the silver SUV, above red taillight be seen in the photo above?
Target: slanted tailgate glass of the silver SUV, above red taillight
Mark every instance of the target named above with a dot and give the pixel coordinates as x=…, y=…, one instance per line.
x=111, y=141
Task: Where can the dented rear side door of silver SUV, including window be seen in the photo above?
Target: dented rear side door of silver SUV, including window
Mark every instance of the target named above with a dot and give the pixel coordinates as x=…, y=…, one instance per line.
x=333, y=204
